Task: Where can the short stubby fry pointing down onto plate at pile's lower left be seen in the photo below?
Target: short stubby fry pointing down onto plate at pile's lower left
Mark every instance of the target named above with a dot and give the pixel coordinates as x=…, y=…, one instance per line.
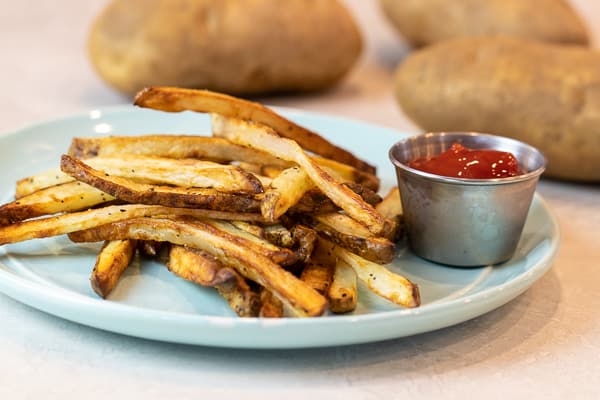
x=114, y=257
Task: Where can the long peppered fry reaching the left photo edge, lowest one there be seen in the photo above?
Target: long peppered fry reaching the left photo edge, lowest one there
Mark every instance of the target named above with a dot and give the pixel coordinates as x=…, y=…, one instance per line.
x=77, y=221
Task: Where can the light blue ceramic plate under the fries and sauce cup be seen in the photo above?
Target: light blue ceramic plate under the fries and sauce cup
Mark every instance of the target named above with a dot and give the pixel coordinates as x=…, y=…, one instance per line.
x=53, y=274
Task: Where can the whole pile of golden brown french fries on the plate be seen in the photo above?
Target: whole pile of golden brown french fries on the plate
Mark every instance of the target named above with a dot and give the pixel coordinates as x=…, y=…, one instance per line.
x=274, y=217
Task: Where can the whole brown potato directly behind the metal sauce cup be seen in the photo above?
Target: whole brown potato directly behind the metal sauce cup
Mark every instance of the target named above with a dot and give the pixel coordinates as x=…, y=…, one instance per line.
x=547, y=95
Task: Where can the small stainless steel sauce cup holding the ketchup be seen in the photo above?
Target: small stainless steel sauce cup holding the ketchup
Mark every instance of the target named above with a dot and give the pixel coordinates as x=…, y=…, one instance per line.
x=458, y=221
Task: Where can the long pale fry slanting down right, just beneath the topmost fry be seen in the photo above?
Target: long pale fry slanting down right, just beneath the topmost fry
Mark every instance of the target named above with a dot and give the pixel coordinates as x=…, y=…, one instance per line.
x=263, y=138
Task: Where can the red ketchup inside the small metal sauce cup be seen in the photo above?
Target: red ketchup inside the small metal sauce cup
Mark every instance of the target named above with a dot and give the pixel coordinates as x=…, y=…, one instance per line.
x=461, y=162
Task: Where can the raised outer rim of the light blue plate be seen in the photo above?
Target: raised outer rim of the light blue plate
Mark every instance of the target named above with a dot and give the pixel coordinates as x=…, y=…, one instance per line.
x=41, y=292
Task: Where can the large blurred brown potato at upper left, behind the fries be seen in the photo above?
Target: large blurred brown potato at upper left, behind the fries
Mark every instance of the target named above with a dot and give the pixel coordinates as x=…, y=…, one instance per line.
x=233, y=46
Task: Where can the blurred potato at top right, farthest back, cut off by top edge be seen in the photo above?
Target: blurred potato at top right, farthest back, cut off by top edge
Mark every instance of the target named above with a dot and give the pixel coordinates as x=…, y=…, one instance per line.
x=423, y=22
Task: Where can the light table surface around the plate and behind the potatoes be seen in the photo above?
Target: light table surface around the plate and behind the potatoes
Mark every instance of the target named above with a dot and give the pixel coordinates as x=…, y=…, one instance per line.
x=544, y=344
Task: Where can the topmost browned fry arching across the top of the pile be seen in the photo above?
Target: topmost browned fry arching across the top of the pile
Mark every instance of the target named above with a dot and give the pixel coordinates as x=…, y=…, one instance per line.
x=176, y=99
